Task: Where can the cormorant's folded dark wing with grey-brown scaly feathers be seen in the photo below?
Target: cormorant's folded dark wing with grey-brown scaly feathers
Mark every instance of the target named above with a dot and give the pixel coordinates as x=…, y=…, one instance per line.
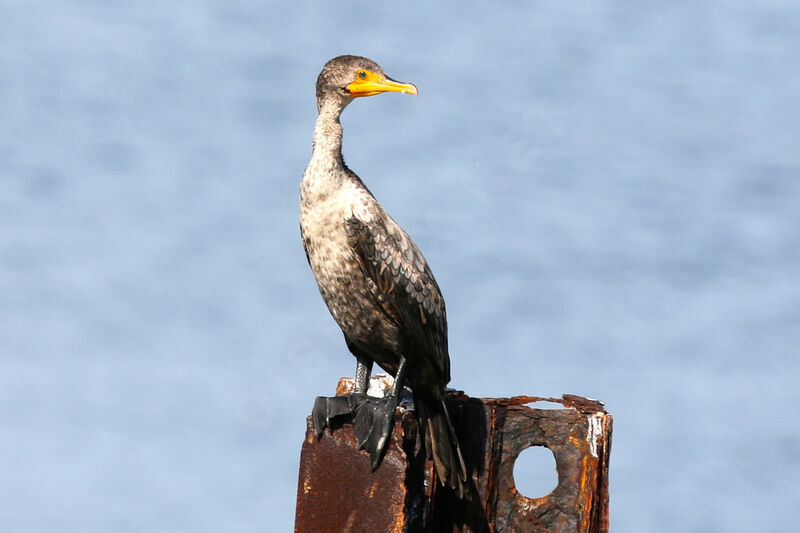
x=403, y=285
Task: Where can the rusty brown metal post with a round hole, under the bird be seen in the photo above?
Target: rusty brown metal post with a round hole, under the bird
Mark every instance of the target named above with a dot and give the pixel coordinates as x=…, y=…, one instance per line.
x=338, y=492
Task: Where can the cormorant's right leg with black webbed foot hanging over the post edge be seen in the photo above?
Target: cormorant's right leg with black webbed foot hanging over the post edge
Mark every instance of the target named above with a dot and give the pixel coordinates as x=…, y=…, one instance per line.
x=374, y=419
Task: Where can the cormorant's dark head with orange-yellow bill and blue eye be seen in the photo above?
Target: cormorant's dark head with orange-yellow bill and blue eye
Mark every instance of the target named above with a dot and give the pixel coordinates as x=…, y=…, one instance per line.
x=346, y=77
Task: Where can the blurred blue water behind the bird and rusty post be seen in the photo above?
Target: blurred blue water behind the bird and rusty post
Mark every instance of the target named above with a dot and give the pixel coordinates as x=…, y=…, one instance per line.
x=608, y=196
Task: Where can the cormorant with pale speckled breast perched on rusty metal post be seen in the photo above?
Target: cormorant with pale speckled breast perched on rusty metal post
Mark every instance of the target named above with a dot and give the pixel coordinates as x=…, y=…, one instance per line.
x=376, y=284
